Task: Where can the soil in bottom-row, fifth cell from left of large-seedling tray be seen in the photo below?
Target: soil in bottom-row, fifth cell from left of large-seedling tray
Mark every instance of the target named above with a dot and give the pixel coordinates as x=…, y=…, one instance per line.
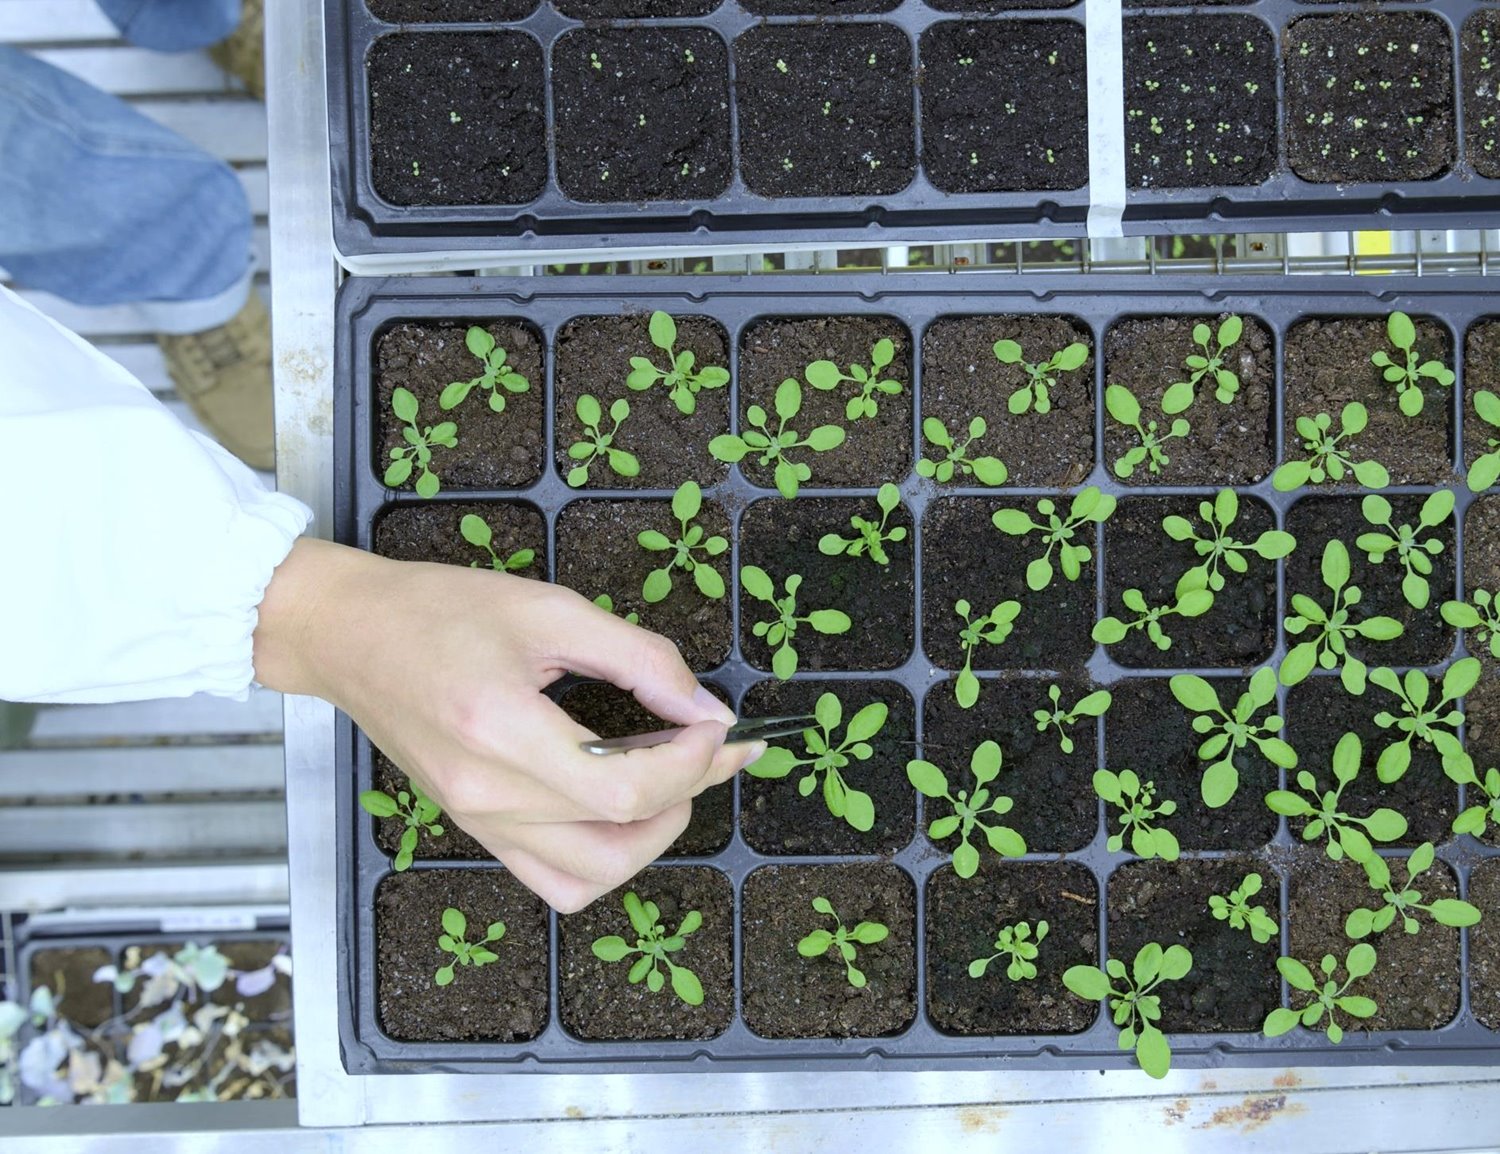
x=1234, y=982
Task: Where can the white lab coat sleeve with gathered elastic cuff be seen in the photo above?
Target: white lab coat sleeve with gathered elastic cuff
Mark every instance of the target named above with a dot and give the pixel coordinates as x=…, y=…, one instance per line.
x=134, y=554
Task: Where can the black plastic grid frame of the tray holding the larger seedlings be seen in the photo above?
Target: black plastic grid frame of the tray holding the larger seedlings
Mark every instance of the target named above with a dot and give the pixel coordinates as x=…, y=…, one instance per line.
x=367, y=308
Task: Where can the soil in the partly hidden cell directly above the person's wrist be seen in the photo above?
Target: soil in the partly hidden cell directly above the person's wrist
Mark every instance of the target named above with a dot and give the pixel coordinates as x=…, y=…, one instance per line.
x=430, y=532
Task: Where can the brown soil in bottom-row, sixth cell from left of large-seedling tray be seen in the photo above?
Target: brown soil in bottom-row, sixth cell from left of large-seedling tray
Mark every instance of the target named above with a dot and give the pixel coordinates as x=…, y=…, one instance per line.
x=1417, y=976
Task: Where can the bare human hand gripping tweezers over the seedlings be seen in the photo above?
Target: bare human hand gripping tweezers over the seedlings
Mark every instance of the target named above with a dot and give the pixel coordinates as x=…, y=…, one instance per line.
x=443, y=669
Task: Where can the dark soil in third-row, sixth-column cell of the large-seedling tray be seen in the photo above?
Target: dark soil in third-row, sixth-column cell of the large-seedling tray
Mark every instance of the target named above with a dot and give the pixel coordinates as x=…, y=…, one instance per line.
x=1319, y=714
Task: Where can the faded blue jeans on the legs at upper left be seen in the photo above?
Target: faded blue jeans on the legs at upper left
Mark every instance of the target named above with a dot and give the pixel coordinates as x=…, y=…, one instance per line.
x=104, y=206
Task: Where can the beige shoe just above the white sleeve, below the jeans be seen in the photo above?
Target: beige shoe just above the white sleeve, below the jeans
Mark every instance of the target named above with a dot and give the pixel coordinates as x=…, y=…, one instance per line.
x=226, y=377
